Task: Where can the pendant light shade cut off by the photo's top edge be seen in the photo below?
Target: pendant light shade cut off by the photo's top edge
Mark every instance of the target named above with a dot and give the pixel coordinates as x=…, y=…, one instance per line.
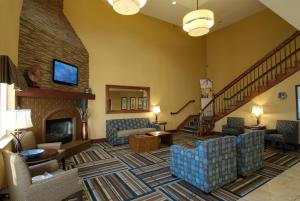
x=127, y=7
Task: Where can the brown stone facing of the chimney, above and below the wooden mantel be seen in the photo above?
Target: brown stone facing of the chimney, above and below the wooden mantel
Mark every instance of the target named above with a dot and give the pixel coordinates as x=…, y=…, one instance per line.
x=46, y=34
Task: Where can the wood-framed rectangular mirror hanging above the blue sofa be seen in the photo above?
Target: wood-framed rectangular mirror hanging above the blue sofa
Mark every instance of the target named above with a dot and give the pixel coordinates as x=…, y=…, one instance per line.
x=127, y=99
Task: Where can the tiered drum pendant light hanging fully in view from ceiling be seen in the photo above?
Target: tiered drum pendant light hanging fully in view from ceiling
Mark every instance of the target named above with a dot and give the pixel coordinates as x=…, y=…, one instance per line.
x=198, y=22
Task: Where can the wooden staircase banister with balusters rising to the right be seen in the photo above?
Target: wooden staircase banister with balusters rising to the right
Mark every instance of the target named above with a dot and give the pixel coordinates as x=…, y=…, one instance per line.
x=273, y=68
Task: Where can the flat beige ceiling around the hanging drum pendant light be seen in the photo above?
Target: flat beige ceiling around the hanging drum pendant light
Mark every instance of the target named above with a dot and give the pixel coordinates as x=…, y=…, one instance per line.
x=226, y=11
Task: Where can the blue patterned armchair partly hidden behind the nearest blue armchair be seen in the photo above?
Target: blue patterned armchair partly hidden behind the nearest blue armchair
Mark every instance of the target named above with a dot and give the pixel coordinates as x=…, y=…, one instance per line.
x=250, y=149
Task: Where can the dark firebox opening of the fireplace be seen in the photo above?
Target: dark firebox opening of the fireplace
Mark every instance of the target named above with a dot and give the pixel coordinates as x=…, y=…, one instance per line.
x=59, y=130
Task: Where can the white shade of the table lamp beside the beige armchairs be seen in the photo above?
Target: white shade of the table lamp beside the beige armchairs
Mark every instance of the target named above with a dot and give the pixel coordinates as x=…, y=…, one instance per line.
x=18, y=119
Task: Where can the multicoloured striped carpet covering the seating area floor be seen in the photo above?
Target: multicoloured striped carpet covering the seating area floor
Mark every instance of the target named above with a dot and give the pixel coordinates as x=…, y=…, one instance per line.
x=116, y=173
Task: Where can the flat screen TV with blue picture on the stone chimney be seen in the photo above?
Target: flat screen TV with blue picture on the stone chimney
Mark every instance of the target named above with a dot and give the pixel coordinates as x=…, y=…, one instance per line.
x=64, y=73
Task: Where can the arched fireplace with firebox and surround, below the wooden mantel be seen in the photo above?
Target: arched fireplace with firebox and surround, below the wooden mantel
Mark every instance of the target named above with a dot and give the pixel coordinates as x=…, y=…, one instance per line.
x=45, y=111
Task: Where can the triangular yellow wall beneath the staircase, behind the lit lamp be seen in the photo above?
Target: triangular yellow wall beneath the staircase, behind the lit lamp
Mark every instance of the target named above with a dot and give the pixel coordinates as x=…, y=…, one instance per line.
x=274, y=108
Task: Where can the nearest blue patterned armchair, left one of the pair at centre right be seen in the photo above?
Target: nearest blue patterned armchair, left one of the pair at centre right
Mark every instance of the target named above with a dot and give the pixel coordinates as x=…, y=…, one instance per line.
x=210, y=165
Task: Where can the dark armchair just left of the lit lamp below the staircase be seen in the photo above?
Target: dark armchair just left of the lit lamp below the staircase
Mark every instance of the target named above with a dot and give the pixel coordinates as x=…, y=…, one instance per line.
x=234, y=126
